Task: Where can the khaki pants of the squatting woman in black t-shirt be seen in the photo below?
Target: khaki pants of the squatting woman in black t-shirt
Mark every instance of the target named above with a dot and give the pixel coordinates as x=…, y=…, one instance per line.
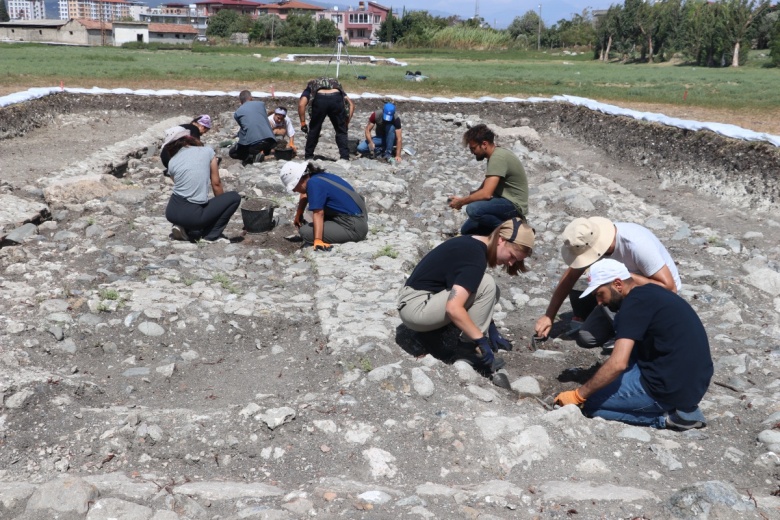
x=423, y=311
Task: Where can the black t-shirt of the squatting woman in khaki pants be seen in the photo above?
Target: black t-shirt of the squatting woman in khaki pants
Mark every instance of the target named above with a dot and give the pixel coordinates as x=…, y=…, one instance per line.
x=458, y=261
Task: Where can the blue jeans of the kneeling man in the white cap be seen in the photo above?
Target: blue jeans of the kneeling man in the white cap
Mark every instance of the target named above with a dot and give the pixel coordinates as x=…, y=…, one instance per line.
x=625, y=400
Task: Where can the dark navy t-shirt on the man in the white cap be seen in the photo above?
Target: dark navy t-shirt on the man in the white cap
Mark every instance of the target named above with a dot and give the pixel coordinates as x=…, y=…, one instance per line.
x=671, y=347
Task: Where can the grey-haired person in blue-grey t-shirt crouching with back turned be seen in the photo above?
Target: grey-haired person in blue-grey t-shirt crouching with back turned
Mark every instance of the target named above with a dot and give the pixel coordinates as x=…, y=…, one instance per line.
x=255, y=137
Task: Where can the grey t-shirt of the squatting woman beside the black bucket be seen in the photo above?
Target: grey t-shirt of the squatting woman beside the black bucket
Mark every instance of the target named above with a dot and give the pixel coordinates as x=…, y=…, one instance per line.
x=190, y=169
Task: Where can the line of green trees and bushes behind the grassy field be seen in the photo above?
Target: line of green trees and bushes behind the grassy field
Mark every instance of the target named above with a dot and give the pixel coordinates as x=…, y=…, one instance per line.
x=711, y=33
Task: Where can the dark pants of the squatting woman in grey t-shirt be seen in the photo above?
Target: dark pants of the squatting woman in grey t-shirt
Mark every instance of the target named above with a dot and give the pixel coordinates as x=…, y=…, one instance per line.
x=203, y=220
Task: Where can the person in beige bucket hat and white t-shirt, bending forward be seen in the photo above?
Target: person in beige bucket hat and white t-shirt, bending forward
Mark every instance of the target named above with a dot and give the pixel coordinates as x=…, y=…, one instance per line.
x=586, y=240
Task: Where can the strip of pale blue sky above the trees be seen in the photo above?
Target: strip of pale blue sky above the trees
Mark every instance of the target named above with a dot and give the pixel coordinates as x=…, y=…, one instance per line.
x=500, y=13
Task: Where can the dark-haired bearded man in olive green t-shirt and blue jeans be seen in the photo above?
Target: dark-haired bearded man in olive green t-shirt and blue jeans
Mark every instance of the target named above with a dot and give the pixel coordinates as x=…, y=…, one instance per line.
x=503, y=193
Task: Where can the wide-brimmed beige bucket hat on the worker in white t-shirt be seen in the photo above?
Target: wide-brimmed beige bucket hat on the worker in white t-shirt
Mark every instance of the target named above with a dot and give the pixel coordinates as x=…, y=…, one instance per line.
x=585, y=240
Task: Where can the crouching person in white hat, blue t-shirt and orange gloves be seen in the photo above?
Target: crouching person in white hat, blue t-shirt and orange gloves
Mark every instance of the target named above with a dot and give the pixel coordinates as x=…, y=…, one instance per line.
x=339, y=213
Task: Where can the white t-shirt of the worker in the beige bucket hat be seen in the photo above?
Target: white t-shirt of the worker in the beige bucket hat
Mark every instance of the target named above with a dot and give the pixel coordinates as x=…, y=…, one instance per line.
x=641, y=251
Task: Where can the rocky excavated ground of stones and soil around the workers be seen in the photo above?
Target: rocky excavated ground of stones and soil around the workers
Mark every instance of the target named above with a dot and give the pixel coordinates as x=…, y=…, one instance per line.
x=145, y=378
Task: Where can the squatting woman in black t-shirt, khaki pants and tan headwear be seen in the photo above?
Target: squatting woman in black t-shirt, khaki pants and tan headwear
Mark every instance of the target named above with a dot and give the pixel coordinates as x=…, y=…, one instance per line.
x=450, y=286
